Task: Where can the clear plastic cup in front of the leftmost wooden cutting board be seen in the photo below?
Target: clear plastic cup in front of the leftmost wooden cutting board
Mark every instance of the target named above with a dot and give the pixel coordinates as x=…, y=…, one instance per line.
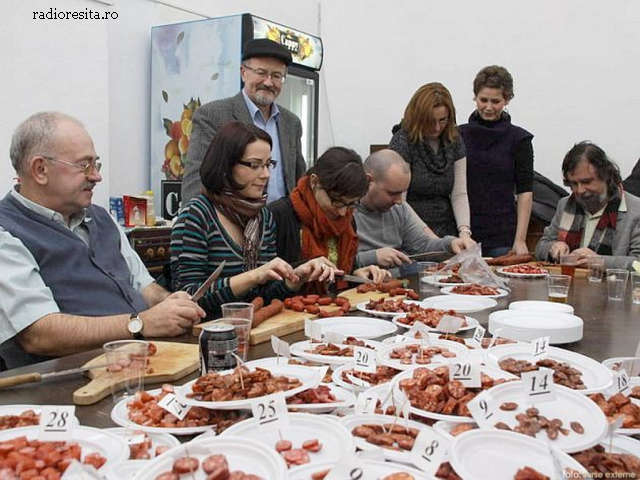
x=126, y=365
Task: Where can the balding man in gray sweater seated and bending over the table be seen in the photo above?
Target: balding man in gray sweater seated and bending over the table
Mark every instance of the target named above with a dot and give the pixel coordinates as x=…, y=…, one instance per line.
x=388, y=228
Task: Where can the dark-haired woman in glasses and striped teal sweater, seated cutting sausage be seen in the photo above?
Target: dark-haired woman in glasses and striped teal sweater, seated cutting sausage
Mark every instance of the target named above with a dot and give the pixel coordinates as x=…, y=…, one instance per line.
x=229, y=222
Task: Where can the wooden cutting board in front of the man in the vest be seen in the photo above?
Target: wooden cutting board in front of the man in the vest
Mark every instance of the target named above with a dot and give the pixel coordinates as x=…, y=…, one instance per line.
x=171, y=362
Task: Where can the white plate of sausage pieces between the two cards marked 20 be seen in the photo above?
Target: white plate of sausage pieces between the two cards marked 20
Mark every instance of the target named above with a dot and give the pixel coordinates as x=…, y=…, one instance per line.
x=450, y=350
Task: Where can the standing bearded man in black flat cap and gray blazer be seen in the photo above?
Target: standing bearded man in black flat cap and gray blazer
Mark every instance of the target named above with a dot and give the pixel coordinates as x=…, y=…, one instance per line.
x=263, y=69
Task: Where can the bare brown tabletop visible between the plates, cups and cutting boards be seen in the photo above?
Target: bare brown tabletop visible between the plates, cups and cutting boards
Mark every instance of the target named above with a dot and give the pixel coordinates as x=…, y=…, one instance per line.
x=611, y=329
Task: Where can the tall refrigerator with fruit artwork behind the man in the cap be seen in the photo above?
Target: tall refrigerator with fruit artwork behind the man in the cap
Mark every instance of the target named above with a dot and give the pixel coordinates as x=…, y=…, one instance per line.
x=193, y=63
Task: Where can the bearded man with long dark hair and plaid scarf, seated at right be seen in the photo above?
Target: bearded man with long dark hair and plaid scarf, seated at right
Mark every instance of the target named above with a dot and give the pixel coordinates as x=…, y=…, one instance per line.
x=598, y=218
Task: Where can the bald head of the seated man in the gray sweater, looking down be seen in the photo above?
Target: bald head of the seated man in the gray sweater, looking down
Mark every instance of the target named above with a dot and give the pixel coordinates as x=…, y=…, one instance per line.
x=389, y=177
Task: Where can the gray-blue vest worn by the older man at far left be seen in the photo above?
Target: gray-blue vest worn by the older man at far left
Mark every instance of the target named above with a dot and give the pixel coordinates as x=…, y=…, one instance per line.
x=85, y=280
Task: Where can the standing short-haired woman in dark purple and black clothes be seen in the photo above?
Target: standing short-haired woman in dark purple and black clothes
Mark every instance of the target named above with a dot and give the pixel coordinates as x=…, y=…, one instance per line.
x=499, y=167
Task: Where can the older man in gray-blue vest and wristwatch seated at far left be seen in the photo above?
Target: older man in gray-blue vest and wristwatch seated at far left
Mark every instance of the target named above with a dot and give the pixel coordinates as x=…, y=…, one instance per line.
x=70, y=279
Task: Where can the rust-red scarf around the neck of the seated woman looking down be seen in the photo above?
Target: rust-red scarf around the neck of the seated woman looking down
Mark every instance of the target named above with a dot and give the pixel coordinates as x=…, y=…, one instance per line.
x=317, y=228
